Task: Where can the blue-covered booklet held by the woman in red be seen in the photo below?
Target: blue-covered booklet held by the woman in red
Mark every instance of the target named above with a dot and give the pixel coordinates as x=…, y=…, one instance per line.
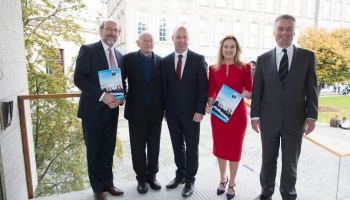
x=225, y=103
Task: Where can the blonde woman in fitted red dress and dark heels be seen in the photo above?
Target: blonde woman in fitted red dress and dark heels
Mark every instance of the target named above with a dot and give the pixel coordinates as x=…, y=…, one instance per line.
x=228, y=137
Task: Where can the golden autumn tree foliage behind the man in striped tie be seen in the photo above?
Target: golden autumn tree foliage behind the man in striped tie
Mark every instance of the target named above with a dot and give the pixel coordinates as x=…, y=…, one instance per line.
x=332, y=53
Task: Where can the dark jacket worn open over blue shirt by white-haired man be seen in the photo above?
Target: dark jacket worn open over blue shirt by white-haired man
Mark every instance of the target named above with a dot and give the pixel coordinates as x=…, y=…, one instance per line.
x=138, y=88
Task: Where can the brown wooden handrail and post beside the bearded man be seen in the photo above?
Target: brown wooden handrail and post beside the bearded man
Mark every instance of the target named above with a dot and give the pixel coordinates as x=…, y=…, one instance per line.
x=24, y=133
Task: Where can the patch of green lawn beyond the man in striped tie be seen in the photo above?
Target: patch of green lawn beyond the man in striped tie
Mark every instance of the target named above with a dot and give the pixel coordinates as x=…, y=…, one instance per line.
x=333, y=105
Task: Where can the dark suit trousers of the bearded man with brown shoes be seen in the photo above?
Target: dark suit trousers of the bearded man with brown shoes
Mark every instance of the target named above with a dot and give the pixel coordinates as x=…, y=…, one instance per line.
x=100, y=139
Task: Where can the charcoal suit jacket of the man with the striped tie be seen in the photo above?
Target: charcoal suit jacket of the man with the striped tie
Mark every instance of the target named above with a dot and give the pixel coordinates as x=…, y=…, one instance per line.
x=290, y=103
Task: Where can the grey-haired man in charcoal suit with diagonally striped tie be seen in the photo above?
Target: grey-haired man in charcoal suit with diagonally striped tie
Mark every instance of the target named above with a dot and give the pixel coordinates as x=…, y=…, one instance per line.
x=284, y=107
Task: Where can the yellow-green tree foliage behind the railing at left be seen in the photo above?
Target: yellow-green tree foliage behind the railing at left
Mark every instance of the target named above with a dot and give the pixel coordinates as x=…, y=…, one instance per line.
x=58, y=139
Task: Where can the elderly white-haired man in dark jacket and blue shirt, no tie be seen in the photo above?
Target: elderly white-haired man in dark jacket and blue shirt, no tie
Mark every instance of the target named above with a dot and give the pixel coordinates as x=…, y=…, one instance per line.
x=144, y=110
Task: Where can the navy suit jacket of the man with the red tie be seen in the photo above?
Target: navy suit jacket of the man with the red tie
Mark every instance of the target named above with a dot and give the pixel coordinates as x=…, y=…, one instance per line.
x=190, y=95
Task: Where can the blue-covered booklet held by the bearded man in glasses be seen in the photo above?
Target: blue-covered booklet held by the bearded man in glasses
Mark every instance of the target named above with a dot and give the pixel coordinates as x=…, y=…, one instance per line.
x=111, y=82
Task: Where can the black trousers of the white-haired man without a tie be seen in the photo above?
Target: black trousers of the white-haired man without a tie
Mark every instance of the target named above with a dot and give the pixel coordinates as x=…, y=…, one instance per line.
x=145, y=134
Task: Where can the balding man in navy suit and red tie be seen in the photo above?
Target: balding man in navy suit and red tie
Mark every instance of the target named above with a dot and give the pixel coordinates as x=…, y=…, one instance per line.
x=185, y=87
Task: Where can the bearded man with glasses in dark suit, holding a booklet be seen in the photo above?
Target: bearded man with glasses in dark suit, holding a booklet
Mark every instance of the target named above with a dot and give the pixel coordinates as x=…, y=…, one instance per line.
x=99, y=110
